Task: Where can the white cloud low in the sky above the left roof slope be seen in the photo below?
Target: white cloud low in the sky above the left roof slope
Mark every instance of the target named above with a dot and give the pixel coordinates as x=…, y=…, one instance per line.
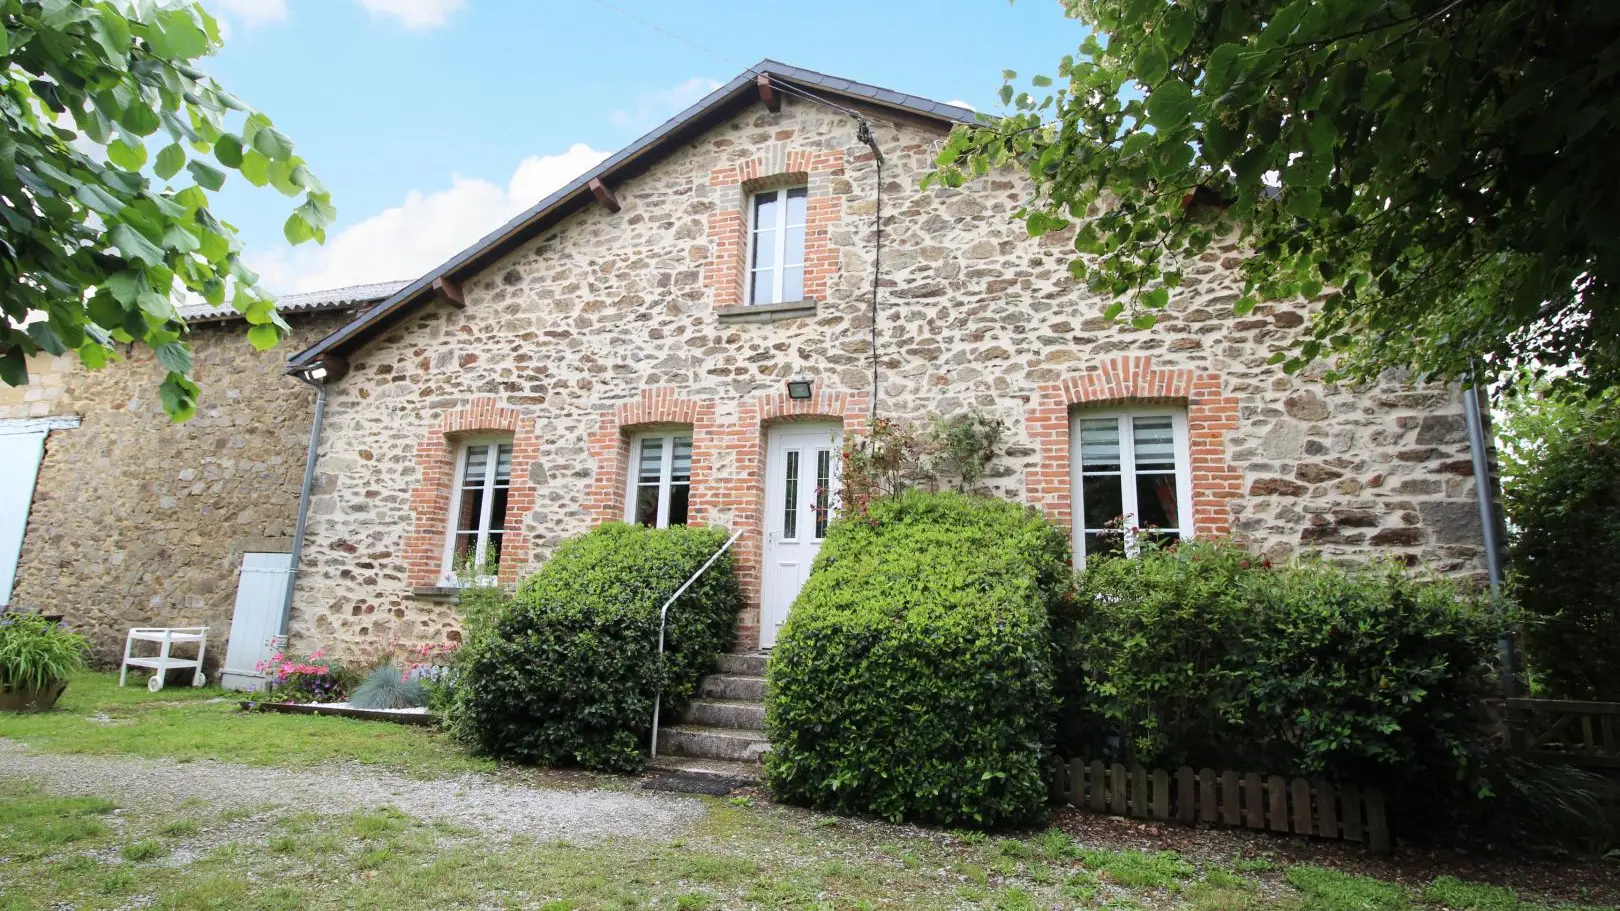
x=422, y=233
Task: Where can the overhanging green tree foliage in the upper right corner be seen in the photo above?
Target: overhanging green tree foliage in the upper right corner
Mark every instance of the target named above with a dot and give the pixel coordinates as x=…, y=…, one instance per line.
x=1443, y=168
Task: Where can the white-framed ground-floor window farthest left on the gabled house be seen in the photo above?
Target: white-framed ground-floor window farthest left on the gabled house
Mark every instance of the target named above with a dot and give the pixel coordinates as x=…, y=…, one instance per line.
x=479, y=508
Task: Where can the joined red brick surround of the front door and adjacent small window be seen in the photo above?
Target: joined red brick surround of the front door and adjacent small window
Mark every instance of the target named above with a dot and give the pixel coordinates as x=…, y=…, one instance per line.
x=728, y=466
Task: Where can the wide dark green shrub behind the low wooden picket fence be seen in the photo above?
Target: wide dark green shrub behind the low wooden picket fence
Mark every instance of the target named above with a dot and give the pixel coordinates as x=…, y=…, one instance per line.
x=1206, y=654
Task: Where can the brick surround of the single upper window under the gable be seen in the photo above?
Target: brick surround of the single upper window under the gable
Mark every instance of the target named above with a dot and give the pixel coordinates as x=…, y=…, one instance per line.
x=727, y=270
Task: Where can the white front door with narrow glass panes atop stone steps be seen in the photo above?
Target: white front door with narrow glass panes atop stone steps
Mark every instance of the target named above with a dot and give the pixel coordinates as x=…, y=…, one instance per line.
x=801, y=495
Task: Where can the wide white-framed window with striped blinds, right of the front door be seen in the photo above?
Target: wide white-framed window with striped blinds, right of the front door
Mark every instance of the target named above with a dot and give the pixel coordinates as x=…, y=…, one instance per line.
x=1133, y=481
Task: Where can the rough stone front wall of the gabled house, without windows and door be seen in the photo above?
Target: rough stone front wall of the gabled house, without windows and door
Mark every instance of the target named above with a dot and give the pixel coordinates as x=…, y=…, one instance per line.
x=608, y=315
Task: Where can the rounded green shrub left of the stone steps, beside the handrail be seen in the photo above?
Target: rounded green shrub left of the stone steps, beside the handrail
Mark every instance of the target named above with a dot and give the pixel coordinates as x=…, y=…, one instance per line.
x=569, y=669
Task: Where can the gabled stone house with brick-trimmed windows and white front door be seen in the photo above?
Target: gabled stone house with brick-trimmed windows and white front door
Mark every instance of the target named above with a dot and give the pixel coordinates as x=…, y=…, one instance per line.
x=688, y=331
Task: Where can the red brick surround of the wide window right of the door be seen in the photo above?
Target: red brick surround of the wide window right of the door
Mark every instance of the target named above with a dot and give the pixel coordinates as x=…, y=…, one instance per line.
x=1123, y=382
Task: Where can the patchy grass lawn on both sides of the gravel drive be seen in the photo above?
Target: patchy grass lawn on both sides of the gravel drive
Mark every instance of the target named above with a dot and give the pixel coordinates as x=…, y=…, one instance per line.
x=104, y=850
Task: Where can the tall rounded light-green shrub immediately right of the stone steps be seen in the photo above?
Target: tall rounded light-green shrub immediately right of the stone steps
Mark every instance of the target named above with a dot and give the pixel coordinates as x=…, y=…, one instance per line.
x=914, y=675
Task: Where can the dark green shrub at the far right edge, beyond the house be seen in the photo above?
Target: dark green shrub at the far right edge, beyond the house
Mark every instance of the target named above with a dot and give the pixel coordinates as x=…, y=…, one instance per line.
x=1566, y=513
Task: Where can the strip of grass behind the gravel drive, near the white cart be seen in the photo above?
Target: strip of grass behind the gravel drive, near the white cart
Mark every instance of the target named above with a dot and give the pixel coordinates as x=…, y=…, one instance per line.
x=184, y=724
